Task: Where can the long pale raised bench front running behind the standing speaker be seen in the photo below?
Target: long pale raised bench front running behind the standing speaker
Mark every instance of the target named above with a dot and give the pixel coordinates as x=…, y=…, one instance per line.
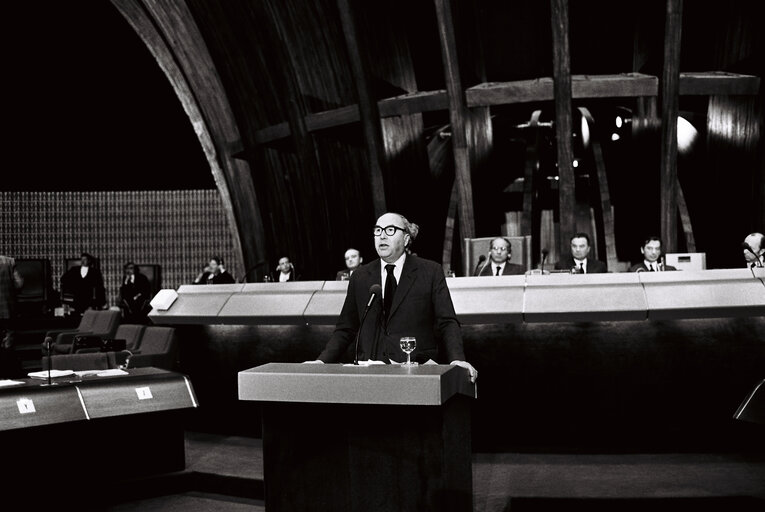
x=530, y=298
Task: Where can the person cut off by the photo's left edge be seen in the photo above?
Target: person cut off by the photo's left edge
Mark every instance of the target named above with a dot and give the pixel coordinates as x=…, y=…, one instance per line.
x=10, y=282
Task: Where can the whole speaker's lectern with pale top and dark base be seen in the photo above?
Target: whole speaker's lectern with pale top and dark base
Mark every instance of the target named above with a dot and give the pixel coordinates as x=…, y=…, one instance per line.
x=355, y=438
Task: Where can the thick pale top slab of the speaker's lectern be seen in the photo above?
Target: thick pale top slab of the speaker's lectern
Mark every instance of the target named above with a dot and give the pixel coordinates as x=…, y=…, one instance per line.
x=388, y=384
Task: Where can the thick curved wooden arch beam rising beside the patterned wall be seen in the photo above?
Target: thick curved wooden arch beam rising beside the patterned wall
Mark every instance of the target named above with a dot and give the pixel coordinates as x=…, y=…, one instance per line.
x=171, y=35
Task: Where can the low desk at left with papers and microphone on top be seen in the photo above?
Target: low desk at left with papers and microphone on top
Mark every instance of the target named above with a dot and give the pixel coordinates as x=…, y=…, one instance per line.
x=80, y=435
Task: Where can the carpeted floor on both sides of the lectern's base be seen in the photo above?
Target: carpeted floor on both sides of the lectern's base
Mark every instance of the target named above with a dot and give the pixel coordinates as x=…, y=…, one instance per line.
x=225, y=473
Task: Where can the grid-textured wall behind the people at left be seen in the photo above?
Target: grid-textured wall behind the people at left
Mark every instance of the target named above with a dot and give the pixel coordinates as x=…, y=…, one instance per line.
x=178, y=229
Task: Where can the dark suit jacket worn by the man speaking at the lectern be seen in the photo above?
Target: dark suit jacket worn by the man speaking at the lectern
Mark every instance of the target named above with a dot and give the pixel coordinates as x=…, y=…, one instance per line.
x=422, y=307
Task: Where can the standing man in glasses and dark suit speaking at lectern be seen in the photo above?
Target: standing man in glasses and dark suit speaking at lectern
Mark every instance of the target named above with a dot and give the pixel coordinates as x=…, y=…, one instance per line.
x=415, y=302
